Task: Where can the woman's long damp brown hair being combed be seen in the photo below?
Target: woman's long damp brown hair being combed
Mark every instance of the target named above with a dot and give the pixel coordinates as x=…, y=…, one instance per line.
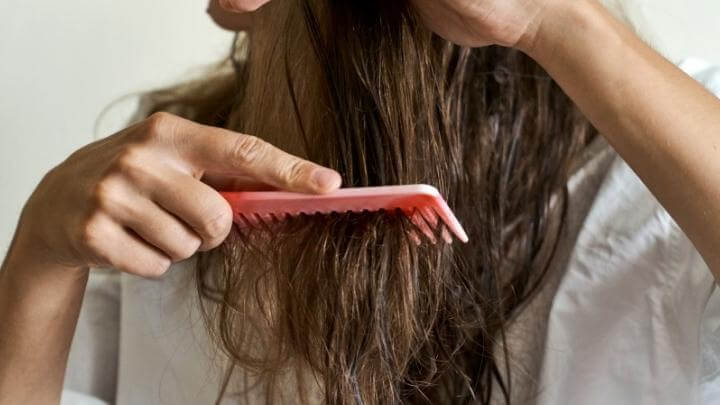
x=346, y=308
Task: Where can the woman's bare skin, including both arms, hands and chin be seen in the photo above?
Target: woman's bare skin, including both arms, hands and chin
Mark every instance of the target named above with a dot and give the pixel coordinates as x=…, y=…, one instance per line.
x=664, y=124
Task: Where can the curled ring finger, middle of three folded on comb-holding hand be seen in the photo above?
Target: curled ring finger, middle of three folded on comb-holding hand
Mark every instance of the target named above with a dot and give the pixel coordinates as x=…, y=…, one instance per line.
x=158, y=228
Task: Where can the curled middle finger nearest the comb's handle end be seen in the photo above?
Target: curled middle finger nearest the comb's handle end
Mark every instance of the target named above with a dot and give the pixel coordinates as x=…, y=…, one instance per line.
x=205, y=211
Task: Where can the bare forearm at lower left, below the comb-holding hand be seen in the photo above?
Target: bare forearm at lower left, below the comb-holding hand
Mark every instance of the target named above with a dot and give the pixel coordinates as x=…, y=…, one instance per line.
x=39, y=307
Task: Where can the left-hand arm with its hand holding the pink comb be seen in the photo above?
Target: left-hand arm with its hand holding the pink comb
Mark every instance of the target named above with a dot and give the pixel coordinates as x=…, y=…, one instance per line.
x=133, y=202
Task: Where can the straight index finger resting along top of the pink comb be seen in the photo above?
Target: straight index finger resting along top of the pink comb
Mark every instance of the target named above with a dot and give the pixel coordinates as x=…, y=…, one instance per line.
x=225, y=152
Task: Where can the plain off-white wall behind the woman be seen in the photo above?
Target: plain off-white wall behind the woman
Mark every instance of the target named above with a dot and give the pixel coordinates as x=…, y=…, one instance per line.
x=63, y=62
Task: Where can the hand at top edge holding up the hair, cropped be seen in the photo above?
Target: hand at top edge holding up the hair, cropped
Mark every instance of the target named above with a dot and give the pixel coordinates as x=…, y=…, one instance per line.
x=477, y=23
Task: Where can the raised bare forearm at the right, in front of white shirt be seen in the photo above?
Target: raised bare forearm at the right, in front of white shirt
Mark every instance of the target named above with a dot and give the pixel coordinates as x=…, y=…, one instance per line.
x=664, y=124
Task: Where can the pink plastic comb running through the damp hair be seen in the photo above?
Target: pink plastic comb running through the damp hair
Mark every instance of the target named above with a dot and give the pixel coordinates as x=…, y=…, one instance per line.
x=421, y=203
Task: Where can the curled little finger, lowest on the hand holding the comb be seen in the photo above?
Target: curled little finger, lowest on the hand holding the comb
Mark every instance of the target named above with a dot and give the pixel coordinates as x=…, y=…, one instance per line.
x=109, y=244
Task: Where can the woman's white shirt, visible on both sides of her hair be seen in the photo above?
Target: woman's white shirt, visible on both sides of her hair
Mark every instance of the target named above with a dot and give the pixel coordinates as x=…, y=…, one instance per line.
x=628, y=316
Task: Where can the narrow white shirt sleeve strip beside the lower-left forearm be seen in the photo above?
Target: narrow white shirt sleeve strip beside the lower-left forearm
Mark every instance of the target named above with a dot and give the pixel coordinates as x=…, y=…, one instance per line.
x=93, y=363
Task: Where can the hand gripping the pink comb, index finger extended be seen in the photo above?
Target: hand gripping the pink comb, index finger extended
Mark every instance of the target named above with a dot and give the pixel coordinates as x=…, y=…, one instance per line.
x=135, y=201
